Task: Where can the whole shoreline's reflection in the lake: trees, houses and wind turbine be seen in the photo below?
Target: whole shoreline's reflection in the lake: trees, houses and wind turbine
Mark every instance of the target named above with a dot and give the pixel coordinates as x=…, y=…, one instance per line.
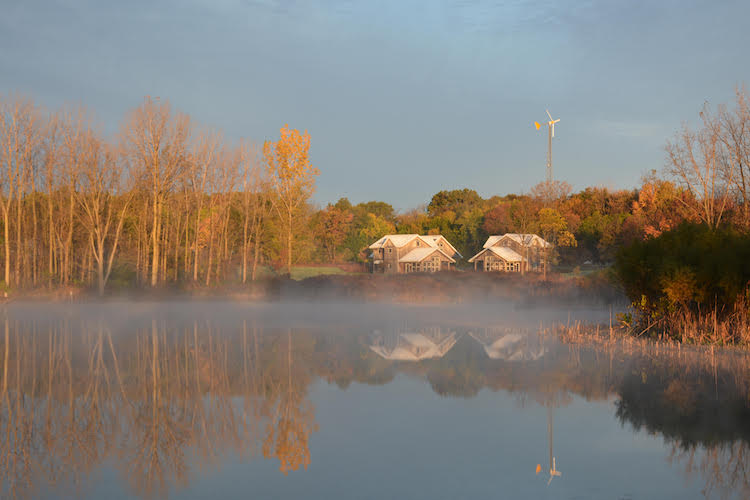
x=163, y=400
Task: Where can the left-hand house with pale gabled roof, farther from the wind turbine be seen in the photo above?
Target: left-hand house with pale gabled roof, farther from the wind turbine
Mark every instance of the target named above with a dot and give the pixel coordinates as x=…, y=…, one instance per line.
x=411, y=253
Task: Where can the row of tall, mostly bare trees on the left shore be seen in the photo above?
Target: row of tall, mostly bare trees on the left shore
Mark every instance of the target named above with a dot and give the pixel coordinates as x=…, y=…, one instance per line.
x=164, y=200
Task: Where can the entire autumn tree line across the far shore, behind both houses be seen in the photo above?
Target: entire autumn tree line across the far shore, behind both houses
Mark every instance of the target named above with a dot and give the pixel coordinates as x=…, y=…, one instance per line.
x=166, y=201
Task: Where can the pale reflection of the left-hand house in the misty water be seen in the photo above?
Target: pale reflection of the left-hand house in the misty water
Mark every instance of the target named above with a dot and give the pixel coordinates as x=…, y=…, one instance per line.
x=431, y=343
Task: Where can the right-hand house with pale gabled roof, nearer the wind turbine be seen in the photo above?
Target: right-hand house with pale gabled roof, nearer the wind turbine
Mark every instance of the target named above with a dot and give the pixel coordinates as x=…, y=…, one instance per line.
x=511, y=252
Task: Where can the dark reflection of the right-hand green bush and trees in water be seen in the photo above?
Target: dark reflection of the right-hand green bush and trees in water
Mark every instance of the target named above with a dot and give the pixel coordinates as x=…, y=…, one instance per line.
x=701, y=405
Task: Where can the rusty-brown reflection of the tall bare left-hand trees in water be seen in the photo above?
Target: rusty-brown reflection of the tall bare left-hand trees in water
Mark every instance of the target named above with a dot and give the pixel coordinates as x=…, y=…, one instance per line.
x=159, y=402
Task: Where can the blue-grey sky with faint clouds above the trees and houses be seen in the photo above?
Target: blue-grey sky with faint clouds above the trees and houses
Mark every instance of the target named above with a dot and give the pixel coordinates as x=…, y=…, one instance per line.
x=401, y=98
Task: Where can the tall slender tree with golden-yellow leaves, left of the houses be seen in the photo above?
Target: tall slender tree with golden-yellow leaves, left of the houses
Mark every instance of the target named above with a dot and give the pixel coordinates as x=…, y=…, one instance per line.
x=292, y=178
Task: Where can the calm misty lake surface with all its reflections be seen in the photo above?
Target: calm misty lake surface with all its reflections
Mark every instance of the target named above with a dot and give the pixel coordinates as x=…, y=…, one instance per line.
x=212, y=400
